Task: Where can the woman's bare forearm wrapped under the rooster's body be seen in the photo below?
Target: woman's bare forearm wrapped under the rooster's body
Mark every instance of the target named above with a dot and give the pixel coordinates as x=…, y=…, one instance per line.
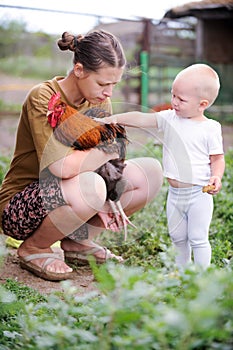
x=80, y=161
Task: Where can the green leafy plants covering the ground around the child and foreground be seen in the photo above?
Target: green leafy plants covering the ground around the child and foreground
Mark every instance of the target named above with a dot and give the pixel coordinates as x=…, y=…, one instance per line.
x=145, y=304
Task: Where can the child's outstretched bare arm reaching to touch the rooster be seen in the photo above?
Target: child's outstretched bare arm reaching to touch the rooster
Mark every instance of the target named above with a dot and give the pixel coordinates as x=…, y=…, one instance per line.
x=135, y=119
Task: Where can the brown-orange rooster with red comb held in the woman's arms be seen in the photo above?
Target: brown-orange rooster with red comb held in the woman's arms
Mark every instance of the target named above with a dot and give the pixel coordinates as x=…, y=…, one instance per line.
x=81, y=132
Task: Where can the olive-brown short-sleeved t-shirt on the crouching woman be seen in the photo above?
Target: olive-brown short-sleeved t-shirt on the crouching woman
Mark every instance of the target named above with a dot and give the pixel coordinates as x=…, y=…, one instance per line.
x=36, y=148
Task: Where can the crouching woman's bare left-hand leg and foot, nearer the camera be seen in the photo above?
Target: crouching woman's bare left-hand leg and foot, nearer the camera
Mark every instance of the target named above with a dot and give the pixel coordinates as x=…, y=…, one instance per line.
x=64, y=220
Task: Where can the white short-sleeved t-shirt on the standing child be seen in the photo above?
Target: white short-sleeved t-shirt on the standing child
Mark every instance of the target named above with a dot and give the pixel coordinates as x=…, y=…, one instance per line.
x=187, y=146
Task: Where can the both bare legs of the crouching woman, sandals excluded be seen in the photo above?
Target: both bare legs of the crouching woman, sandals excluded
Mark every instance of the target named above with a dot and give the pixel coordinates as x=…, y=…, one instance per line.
x=144, y=180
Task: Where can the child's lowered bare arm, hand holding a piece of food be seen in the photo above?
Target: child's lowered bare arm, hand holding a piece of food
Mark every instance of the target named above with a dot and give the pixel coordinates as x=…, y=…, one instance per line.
x=217, y=164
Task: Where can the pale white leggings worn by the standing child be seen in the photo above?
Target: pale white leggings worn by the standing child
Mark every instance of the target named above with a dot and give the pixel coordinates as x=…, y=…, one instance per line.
x=189, y=214
